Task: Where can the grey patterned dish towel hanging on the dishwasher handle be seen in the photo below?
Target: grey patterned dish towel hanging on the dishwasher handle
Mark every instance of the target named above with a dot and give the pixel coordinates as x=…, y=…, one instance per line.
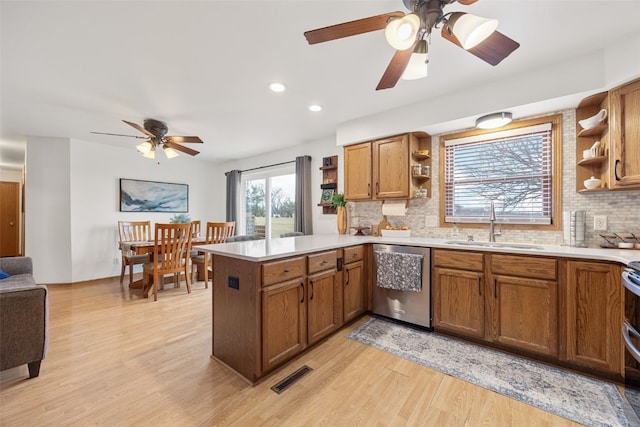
x=402, y=272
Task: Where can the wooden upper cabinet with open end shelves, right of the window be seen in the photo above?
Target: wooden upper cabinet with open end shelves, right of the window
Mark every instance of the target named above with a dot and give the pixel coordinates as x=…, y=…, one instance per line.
x=610, y=149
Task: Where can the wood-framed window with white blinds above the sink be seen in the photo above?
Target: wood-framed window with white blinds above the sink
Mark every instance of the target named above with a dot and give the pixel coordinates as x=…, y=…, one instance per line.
x=514, y=168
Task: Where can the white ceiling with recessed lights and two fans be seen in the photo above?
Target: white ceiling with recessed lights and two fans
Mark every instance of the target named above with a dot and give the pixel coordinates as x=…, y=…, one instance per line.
x=72, y=67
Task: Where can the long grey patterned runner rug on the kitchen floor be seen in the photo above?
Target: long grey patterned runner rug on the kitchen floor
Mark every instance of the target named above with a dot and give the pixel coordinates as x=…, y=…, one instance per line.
x=575, y=397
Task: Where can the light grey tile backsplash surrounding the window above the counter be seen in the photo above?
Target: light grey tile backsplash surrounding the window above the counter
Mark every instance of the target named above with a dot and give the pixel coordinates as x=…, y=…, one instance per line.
x=620, y=207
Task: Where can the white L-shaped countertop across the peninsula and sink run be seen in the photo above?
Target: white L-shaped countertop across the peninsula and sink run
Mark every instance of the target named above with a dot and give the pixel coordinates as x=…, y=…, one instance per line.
x=264, y=250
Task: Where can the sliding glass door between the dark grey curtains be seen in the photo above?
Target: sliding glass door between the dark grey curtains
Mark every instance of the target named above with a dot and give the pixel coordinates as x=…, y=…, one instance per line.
x=269, y=201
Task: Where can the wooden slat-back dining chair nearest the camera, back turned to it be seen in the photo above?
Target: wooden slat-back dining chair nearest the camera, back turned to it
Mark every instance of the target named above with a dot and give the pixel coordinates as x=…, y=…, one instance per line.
x=172, y=242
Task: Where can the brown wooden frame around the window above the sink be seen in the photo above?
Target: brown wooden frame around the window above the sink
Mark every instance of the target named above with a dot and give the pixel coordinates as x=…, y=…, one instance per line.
x=556, y=171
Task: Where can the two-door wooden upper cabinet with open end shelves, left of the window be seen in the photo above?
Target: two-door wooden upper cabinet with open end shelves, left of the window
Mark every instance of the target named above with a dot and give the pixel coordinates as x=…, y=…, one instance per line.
x=383, y=169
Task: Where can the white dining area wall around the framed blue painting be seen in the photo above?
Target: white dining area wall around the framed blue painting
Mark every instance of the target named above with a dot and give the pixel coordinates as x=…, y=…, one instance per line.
x=73, y=203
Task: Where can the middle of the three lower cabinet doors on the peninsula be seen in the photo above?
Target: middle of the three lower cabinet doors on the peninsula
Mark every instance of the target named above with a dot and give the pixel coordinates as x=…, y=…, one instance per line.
x=322, y=305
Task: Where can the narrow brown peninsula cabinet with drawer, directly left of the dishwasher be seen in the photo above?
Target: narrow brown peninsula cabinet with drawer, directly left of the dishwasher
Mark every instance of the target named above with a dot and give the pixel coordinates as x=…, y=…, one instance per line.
x=353, y=283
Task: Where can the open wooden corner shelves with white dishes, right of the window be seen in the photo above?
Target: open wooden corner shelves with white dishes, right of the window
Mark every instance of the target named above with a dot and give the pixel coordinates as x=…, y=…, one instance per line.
x=592, y=143
